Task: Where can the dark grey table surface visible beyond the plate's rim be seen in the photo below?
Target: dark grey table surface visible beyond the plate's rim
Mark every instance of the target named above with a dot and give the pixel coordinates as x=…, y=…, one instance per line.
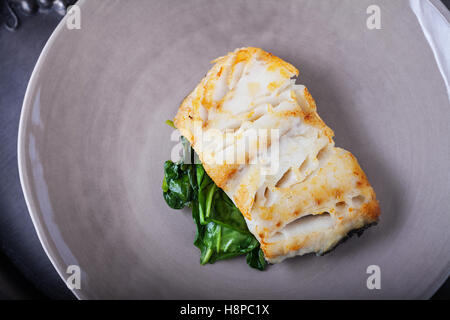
x=25, y=270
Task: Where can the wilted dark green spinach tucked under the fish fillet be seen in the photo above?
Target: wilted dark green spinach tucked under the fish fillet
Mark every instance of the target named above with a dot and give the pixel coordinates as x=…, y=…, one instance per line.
x=221, y=229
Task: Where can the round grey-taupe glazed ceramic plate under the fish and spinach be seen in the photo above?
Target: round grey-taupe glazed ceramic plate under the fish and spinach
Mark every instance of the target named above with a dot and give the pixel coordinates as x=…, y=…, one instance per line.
x=93, y=141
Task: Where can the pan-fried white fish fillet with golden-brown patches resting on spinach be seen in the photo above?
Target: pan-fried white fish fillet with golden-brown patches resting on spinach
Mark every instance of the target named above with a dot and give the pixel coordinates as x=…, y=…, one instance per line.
x=314, y=195
